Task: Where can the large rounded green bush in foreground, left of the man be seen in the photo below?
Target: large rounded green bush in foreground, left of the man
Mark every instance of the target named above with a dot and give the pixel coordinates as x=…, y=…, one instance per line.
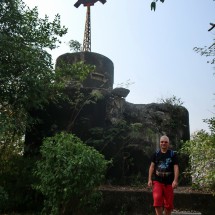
x=68, y=173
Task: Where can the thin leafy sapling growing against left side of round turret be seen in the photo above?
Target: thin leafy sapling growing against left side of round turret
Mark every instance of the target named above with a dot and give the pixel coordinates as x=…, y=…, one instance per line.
x=69, y=77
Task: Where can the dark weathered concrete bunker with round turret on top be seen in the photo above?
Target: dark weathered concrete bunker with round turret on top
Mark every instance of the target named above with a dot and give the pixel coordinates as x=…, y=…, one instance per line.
x=125, y=132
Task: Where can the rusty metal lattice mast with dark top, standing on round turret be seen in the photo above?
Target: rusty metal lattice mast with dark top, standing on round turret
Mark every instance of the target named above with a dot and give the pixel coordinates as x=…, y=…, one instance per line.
x=87, y=31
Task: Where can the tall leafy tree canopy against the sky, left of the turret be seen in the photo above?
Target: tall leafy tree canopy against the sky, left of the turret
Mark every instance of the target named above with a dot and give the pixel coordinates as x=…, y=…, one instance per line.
x=26, y=68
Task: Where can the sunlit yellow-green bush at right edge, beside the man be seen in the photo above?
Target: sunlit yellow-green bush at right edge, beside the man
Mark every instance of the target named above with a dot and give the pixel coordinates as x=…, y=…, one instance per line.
x=201, y=150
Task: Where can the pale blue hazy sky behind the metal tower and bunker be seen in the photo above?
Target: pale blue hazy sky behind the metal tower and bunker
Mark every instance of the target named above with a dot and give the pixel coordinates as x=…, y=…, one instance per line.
x=152, y=52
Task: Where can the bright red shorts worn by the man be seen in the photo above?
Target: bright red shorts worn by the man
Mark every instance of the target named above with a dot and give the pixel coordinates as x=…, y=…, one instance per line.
x=163, y=195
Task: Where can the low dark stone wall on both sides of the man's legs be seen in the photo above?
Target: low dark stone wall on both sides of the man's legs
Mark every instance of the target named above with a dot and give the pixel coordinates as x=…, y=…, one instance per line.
x=139, y=202
